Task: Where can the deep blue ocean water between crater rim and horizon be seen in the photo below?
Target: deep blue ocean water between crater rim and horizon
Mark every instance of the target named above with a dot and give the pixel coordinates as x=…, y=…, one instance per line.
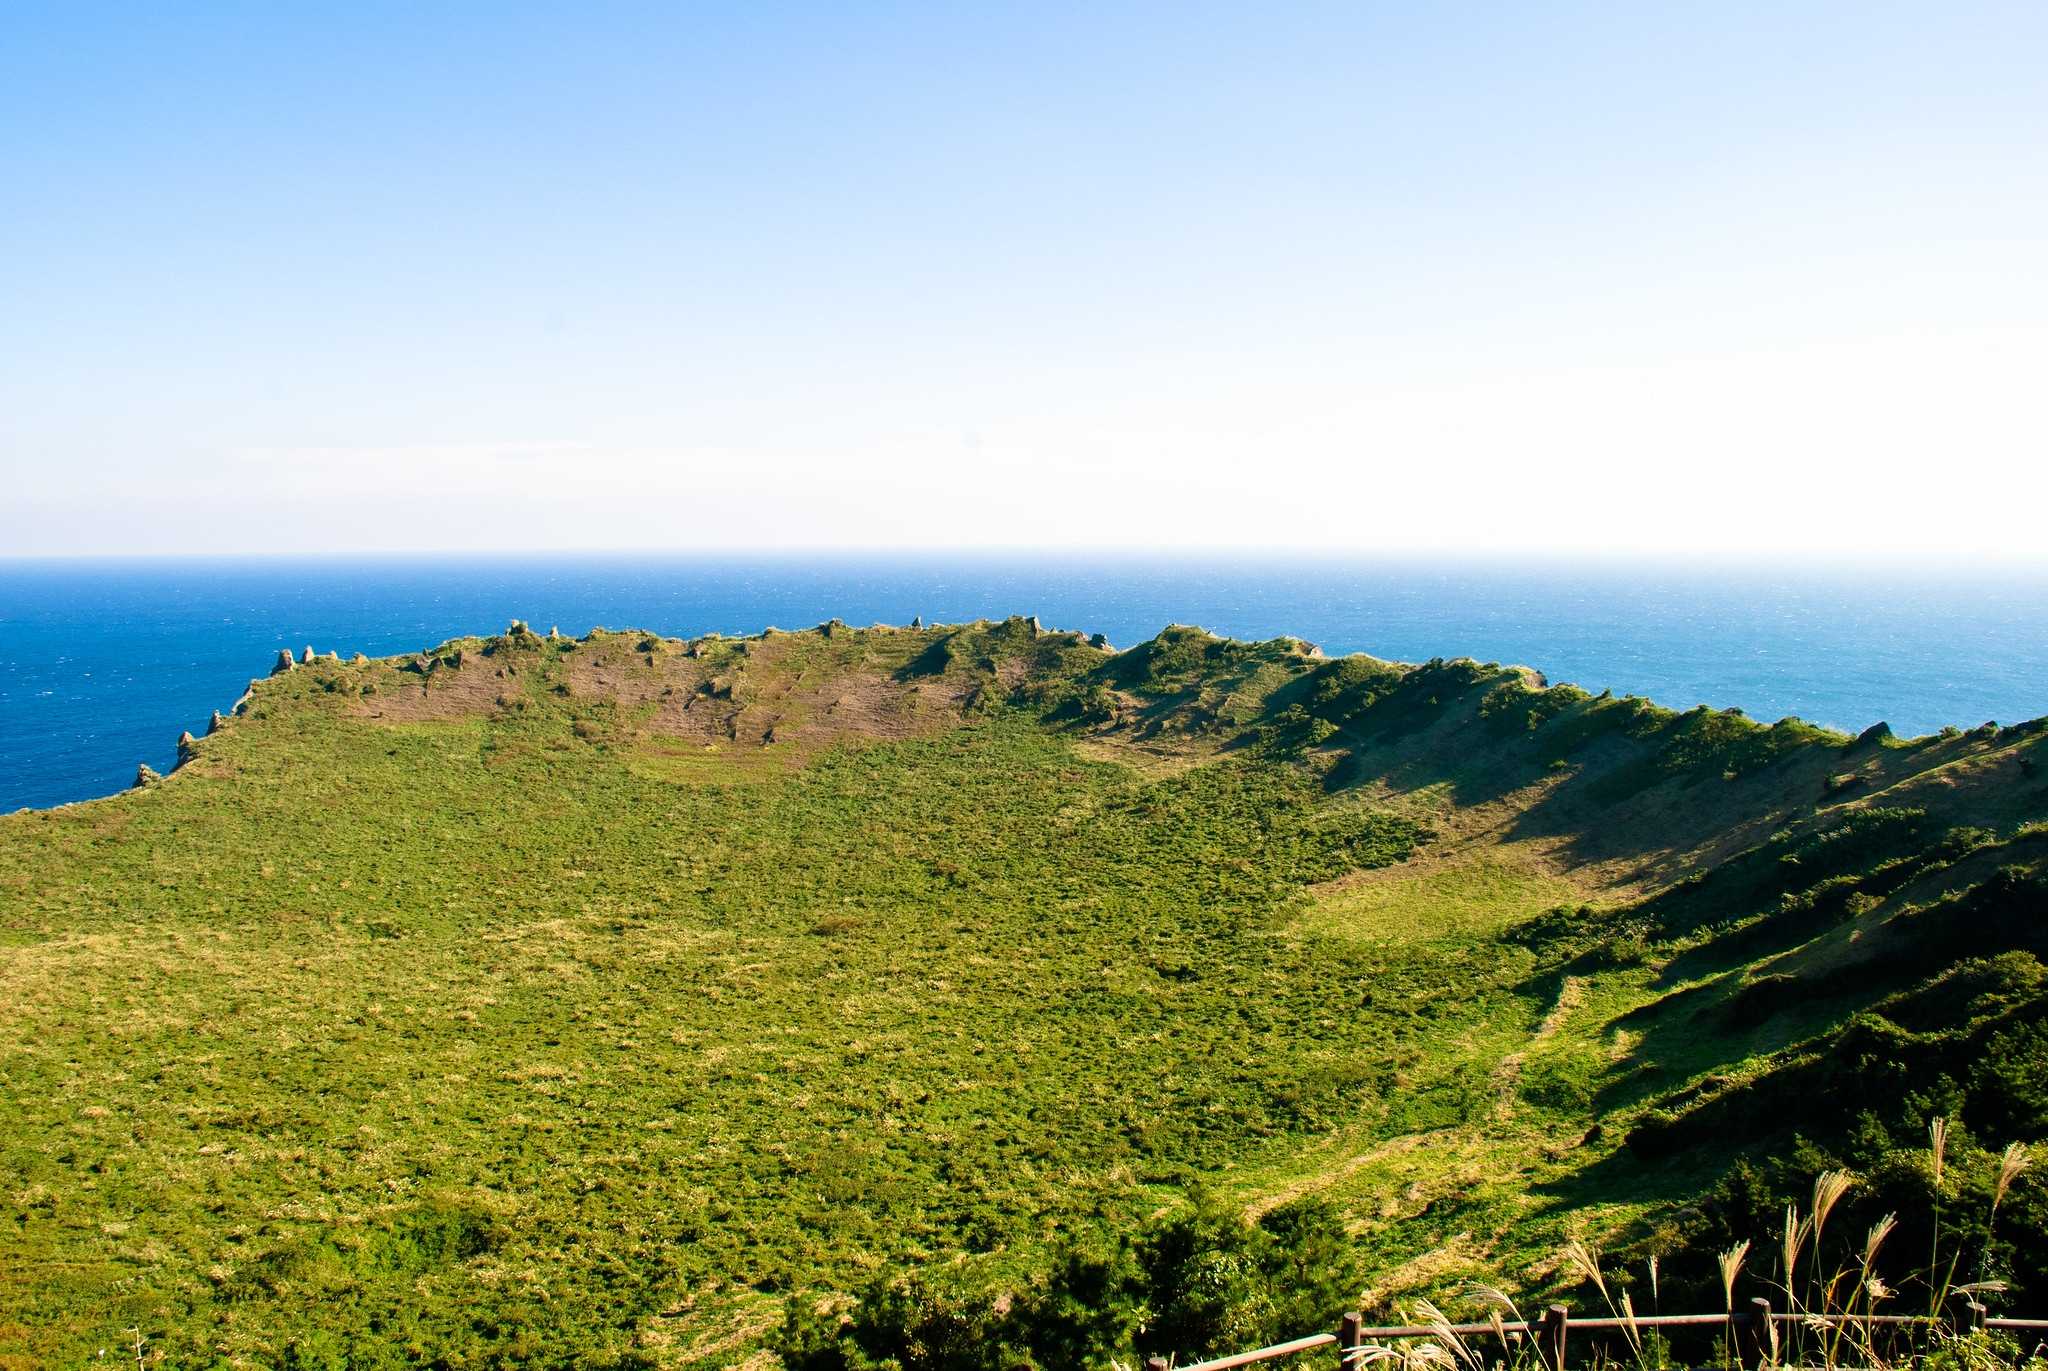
x=105, y=663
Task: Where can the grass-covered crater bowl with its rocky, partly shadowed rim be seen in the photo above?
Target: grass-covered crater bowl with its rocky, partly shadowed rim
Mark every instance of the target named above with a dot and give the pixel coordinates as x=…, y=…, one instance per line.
x=587, y=1001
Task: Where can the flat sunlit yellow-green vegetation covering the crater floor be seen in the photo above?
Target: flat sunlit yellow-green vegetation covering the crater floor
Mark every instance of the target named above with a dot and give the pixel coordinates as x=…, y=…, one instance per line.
x=423, y=1030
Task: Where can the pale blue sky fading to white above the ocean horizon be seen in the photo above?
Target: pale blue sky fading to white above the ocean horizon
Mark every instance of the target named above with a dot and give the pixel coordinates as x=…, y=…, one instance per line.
x=1355, y=278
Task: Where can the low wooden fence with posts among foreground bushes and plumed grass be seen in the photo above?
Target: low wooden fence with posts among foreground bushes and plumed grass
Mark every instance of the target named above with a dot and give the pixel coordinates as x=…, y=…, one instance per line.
x=1750, y=1331
